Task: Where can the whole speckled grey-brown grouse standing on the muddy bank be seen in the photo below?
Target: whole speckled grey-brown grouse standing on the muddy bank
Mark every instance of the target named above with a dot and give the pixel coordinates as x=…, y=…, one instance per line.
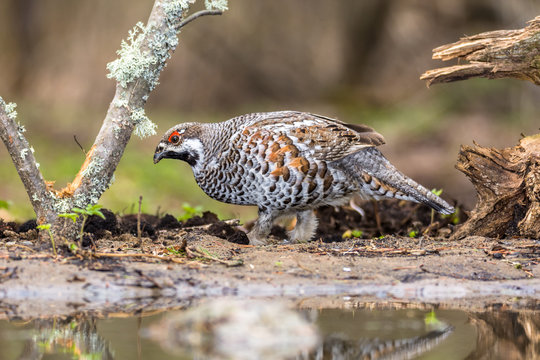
x=289, y=163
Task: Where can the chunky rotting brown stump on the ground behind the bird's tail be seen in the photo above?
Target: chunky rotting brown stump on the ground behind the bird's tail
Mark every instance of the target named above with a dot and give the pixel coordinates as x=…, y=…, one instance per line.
x=508, y=185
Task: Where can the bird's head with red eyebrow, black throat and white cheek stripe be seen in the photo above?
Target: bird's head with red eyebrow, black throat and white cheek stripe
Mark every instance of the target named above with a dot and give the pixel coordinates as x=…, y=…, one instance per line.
x=182, y=142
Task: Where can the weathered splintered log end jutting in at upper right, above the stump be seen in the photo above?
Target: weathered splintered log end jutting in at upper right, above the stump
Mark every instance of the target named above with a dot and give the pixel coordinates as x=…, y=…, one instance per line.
x=494, y=54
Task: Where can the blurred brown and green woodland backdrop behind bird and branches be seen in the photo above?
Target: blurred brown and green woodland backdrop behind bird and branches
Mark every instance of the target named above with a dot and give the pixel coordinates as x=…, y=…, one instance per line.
x=356, y=60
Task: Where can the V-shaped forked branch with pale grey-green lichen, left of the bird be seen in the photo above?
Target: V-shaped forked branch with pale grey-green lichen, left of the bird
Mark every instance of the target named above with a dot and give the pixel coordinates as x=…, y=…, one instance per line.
x=142, y=57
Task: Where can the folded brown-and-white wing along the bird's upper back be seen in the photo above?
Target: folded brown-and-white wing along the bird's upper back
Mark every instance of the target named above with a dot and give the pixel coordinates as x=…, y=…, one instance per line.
x=310, y=135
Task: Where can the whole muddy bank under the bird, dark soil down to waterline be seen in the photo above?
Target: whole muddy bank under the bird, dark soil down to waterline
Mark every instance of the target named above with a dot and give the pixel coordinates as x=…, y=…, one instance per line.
x=172, y=262
